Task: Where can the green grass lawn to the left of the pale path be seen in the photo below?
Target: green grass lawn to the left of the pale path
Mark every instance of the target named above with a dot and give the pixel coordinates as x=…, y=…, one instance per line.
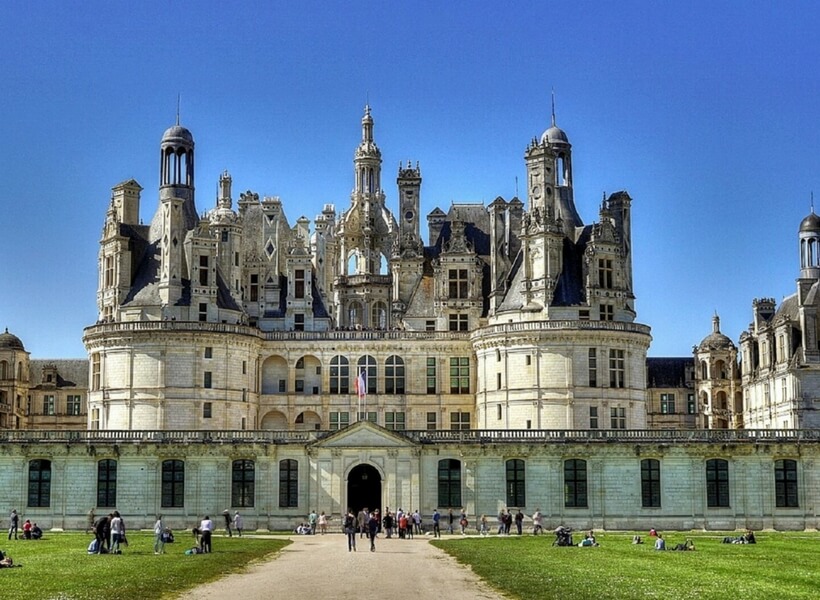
x=58, y=567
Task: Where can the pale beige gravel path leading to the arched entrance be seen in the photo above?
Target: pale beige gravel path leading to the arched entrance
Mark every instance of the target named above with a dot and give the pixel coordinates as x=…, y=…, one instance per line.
x=320, y=567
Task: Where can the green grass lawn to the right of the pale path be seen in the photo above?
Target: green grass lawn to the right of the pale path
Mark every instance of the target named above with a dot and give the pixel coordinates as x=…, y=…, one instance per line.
x=778, y=566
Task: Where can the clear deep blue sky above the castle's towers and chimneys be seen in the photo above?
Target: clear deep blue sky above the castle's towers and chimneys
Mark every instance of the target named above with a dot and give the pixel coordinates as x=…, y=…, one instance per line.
x=706, y=112
